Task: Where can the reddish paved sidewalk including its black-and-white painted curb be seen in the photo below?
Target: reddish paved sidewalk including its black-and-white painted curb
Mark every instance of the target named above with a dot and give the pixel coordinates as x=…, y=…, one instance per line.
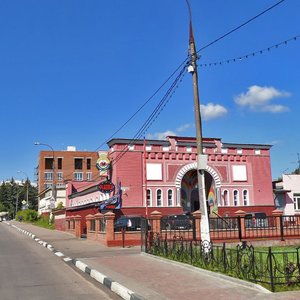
x=135, y=275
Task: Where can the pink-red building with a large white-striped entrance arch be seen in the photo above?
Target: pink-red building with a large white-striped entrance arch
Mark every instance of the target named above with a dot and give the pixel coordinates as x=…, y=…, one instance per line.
x=161, y=175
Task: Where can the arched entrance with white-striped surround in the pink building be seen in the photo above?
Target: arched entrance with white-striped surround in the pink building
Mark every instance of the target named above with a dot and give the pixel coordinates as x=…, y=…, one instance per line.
x=187, y=187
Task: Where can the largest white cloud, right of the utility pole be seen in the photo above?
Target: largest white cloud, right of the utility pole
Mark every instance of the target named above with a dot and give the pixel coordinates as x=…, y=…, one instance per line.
x=258, y=98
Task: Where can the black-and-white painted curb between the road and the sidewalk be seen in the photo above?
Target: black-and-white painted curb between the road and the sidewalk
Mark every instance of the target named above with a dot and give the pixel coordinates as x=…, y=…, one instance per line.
x=114, y=286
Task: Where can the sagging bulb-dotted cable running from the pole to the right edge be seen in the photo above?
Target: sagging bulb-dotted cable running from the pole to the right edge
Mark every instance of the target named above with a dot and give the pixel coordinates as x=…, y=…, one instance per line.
x=249, y=55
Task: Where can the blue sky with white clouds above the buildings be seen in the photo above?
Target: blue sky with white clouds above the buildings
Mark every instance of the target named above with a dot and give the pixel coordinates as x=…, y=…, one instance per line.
x=72, y=72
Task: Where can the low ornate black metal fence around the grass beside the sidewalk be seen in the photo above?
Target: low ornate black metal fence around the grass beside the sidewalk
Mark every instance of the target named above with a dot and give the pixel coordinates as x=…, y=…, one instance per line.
x=276, y=270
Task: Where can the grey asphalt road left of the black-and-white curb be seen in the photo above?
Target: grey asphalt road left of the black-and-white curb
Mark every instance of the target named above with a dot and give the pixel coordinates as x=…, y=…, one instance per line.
x=31, y=272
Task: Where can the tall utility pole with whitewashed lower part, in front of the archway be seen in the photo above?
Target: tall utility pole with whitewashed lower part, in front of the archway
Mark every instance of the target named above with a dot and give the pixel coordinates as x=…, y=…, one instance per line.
x=201, y=158
